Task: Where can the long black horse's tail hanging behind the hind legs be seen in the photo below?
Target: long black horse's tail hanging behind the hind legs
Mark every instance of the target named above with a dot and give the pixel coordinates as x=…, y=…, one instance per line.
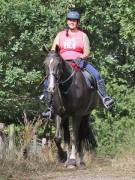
x=86, y=136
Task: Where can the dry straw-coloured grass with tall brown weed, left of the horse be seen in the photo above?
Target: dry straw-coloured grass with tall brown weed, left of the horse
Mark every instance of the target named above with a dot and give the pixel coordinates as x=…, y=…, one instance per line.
x=16, y=166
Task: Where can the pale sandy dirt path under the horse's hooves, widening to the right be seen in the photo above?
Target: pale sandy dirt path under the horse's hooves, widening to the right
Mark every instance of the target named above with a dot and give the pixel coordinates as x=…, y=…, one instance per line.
x=97, y=170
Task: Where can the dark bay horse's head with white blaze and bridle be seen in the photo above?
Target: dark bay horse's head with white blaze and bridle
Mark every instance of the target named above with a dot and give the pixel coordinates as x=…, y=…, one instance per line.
x=53, y=66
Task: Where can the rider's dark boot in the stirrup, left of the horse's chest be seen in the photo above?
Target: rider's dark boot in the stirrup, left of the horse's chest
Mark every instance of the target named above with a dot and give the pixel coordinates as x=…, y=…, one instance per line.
x=49, y=113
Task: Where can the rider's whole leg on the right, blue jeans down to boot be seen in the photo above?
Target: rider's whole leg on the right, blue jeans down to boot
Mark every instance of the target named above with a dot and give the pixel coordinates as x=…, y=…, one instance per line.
x=107, y=101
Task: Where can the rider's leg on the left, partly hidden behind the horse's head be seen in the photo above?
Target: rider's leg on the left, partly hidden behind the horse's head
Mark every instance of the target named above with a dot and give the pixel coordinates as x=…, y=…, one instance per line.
x=48, y=98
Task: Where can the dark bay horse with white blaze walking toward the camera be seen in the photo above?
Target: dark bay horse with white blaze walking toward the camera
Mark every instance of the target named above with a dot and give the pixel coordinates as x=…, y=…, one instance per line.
x=73, y=102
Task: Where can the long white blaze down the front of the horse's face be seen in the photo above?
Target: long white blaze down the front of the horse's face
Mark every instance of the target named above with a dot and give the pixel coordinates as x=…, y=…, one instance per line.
x=51, y=82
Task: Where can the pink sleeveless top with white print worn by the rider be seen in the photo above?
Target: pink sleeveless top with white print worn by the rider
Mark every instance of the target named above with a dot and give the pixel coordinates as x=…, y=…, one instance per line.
x=71, y=47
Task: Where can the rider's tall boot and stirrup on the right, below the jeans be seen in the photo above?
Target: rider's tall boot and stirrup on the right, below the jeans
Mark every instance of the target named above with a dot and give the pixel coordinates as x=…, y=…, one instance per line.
x=106, y=100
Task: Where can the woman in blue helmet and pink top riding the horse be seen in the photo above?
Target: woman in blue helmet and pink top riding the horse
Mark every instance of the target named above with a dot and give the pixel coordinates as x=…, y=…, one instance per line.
x=74, y=44
